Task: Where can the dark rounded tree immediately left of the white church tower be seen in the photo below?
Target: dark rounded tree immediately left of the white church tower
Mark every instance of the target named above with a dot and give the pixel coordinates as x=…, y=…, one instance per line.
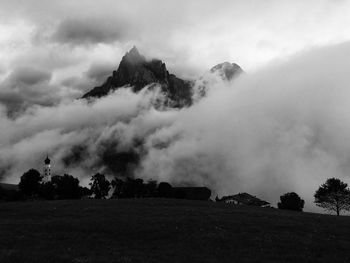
x=30, y=183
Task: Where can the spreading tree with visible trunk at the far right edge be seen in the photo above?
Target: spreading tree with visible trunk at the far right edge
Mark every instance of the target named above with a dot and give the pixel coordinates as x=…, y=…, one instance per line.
x=334, y=195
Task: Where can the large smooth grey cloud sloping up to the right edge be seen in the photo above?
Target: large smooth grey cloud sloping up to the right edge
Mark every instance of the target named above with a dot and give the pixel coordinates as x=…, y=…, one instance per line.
x=281, y=129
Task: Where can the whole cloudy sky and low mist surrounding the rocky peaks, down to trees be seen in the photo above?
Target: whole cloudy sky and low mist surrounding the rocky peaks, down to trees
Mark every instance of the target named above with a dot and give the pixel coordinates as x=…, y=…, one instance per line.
x=281, y=128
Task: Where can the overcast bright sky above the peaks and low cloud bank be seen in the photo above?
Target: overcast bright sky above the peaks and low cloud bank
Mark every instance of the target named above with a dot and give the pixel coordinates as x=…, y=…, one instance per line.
x=66, y=38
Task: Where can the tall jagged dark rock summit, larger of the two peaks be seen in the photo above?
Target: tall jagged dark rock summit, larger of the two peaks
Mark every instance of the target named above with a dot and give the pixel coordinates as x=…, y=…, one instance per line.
x=137, y=72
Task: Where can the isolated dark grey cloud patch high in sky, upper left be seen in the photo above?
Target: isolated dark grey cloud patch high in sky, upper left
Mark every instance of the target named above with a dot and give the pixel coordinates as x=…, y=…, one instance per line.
x=89, y=31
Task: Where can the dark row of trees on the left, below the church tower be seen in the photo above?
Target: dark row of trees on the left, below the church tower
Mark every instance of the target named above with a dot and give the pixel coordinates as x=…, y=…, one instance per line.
x=32, y=186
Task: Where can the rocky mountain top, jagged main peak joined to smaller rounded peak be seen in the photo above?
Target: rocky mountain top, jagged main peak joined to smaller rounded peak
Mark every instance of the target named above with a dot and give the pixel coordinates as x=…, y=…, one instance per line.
x=136, y=72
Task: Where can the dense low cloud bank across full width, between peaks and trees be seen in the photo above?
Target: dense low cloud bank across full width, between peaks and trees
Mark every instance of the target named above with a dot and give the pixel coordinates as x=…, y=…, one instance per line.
x=284, y=128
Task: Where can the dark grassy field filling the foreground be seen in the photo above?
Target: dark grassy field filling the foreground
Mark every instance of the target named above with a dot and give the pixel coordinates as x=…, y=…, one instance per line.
x=158, y=230
